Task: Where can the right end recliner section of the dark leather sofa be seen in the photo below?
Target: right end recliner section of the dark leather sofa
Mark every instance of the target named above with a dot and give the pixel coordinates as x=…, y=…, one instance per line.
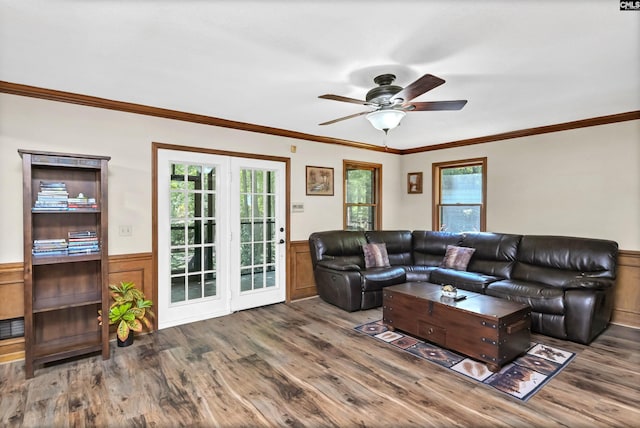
x=567, y=281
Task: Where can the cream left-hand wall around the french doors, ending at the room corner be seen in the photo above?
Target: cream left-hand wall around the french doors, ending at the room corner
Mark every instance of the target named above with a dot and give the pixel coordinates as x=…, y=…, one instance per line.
x=28, y=123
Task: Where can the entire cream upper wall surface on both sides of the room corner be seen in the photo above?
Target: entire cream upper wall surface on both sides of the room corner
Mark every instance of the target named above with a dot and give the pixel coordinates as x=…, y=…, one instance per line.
x=583, y=182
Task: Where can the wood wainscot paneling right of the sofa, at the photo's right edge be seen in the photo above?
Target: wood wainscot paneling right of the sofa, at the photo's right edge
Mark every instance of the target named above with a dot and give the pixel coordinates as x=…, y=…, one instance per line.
x=626, y=307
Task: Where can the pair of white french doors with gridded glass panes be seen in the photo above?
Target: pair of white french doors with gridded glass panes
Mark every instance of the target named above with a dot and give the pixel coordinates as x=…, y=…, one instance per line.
x=221, y=236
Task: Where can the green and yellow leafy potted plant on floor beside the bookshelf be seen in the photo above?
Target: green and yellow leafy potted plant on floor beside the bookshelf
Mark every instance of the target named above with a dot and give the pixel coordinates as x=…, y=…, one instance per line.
x=130, y=310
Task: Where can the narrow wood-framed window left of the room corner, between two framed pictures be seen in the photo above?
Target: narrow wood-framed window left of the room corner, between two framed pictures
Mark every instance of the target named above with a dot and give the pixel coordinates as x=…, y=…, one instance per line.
x=362, y=195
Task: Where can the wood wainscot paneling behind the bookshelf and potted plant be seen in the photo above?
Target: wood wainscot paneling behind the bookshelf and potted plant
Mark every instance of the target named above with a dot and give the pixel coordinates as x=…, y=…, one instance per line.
x=128, y=267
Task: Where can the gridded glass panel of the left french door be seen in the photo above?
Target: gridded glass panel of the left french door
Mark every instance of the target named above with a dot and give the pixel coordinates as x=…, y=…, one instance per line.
x=192, y=211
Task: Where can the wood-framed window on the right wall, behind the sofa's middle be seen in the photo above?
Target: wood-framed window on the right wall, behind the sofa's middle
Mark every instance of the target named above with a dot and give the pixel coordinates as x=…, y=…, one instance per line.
x=459, y=195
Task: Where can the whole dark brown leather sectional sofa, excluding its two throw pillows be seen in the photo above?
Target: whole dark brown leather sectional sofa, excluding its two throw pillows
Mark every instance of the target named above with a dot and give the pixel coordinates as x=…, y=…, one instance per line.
x=567, y=281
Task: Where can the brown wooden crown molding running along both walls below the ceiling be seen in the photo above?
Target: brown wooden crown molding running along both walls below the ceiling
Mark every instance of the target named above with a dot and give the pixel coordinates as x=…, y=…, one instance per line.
x=90, y=101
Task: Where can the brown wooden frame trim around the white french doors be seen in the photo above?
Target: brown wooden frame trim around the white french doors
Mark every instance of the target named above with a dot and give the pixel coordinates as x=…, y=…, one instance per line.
x=155, y=147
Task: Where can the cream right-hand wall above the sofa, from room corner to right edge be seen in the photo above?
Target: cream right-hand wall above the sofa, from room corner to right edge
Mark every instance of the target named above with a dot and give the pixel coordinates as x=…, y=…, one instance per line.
x=581, y=182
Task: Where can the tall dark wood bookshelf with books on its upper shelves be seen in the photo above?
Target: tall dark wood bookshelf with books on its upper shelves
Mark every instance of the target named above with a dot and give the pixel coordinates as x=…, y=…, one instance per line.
x=63, y=291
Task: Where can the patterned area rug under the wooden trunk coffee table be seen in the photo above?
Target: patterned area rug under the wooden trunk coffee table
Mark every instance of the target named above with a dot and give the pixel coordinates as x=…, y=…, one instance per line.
x=520, y=379
